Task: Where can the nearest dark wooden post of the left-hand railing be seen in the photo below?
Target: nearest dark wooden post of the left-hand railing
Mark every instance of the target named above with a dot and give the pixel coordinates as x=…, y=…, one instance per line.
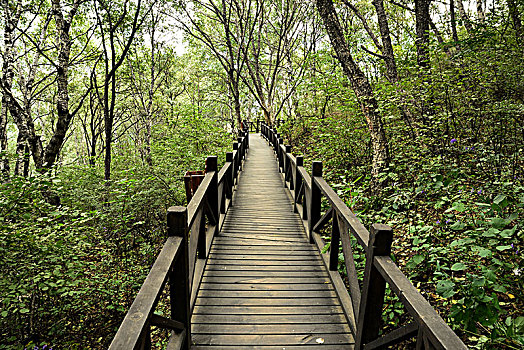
x=179, y=273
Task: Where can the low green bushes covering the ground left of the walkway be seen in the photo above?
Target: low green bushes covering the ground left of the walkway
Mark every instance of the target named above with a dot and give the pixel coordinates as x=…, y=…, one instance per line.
x=71, y=271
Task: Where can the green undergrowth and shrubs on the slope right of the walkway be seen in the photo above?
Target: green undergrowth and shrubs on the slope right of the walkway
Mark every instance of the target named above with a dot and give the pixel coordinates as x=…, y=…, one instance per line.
x=453, y=193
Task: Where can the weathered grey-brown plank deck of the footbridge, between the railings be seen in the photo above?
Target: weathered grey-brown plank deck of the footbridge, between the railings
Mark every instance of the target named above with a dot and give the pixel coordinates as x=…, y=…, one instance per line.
x=264, y=285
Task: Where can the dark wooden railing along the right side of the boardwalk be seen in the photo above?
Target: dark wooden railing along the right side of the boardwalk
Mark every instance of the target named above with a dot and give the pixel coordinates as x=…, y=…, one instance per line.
x=363, y=306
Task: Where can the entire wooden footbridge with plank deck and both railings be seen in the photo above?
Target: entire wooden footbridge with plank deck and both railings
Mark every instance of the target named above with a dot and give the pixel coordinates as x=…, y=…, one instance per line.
x=248, y=269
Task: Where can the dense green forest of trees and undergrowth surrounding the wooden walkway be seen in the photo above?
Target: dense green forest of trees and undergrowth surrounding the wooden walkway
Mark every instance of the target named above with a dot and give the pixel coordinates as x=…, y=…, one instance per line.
x=415, y=107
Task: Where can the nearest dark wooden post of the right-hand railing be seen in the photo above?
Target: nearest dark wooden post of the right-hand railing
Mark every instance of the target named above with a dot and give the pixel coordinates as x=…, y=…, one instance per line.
x=374, y=287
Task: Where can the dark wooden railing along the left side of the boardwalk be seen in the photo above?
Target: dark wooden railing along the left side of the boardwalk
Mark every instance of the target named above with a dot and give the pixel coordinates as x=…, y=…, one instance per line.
x=182, y=260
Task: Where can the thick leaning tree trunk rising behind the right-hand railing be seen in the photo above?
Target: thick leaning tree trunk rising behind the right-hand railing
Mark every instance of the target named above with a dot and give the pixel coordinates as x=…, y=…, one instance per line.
x=362, y=88
